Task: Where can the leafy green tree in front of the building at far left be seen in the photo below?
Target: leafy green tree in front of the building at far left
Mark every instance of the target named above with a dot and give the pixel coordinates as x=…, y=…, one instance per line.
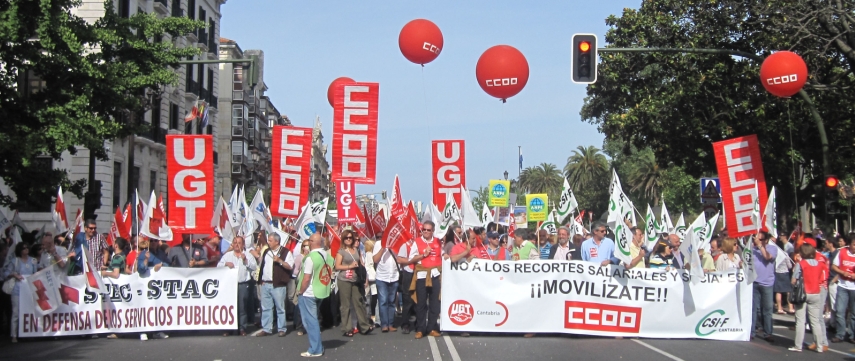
x=95, y=81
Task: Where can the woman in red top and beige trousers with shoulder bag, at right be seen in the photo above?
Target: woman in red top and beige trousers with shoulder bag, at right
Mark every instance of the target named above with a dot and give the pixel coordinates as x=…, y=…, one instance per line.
x=813, y=274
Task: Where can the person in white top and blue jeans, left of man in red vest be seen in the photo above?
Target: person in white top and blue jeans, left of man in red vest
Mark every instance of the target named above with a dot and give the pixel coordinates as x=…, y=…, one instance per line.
x=387, y=285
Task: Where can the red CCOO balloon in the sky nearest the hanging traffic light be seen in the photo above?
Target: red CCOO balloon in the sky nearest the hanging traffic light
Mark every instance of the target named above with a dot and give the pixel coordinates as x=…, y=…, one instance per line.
x=502, y=71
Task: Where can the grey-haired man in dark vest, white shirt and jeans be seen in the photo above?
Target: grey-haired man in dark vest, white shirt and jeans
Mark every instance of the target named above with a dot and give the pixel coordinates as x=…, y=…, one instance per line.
x=276, y=265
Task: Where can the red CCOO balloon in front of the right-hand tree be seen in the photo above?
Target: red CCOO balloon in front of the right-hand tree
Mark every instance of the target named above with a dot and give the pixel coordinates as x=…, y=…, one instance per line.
x=783, y=73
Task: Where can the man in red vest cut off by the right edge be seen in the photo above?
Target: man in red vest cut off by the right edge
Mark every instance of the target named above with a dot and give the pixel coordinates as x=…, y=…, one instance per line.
x=844, y=266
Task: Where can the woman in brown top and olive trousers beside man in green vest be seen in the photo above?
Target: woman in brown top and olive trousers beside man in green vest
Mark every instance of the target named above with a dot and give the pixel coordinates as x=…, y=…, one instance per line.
x=351, y=294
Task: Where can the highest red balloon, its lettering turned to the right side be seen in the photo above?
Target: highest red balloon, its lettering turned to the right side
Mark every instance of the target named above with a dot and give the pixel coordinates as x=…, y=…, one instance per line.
x=420, y=41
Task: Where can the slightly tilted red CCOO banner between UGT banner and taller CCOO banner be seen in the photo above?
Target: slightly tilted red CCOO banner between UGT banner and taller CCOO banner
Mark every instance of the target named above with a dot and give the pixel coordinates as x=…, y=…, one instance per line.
x=291, y=163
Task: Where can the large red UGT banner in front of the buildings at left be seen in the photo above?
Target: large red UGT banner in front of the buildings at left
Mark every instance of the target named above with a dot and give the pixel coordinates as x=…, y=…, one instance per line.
x=190, y=178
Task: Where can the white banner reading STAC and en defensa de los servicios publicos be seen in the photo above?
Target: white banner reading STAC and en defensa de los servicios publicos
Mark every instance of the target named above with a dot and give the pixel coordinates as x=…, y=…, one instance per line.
x=168, y=299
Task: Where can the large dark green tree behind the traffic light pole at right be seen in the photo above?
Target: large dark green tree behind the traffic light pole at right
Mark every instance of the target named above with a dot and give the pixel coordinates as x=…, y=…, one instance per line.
x=678, y=104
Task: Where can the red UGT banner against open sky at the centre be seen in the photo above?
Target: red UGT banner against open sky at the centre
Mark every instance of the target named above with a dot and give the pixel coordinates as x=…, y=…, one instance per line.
x=449, y=170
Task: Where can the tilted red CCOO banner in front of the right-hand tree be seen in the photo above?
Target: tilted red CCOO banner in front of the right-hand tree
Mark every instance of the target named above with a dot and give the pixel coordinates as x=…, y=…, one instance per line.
x=739, y=167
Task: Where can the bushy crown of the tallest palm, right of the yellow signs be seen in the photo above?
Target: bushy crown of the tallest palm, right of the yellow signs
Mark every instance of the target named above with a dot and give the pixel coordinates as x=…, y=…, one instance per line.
x=587, y=168
